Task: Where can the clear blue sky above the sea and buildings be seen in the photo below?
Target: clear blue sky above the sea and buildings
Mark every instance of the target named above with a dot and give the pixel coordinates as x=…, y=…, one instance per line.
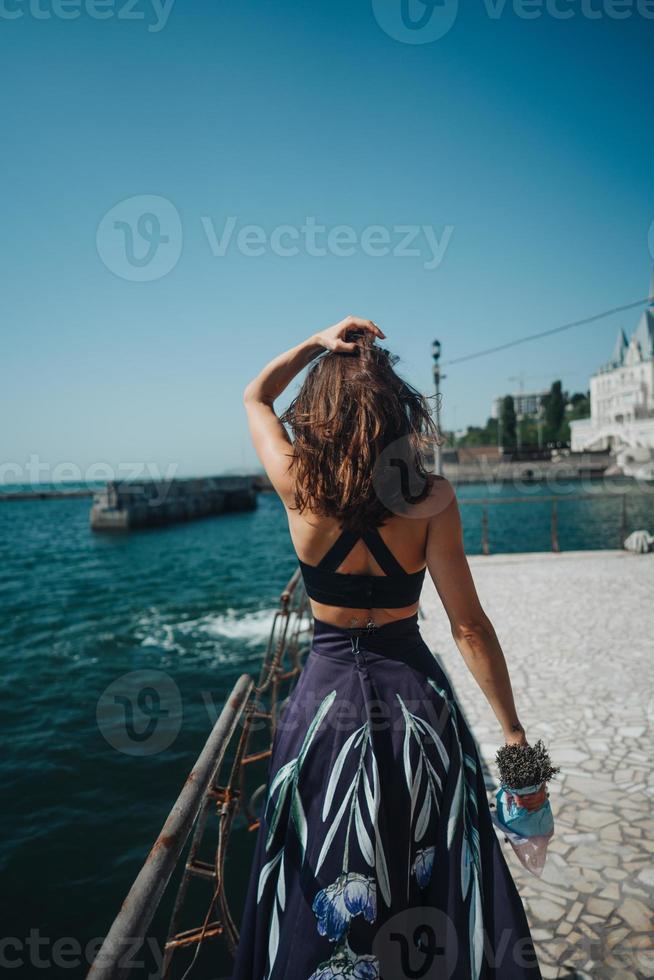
x=525, y=147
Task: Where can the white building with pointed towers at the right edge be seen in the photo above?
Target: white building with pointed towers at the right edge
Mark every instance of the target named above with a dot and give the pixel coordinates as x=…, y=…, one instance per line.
x=622, y=400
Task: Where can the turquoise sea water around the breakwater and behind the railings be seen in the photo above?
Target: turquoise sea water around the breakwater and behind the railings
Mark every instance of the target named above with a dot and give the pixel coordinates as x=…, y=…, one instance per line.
x=78, y=610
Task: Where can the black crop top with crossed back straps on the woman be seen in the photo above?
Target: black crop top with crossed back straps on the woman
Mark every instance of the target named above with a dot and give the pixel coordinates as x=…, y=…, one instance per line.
x=393, y=590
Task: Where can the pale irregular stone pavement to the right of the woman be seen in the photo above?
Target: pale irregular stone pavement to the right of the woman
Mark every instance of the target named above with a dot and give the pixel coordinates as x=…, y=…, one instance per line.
x=577, y=631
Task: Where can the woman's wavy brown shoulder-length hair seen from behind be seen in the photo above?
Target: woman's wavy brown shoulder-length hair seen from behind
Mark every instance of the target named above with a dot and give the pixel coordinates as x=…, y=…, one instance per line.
x=359, y=437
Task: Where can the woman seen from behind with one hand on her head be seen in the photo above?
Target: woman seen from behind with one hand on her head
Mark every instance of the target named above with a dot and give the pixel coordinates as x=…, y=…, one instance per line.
x=376, y=855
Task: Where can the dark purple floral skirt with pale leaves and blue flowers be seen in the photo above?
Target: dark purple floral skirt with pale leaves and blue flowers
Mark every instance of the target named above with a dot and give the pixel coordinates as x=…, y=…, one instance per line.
x=377, y=856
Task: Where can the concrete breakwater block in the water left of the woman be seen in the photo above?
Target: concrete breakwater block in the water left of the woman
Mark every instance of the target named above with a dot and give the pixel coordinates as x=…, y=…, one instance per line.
x=122, y=505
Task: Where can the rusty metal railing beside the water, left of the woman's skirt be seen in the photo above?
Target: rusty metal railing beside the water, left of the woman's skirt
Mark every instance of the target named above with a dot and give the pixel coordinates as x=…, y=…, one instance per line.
x=228, y=778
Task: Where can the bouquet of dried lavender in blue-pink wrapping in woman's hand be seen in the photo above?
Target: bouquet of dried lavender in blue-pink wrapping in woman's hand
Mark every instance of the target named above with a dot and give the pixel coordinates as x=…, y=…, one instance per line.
x=523, y=770
